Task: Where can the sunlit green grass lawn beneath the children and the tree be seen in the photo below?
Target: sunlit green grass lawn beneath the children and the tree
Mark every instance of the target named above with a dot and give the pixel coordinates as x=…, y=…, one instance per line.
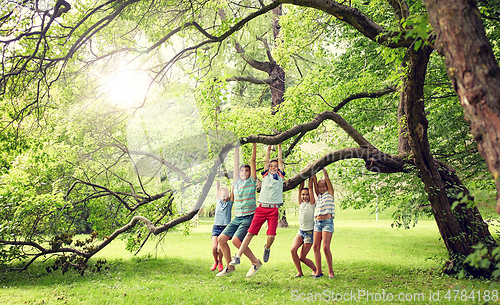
x=370, y=259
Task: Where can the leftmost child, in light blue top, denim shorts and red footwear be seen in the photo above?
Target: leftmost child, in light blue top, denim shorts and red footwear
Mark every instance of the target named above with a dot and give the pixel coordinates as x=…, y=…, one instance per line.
x=222, y=218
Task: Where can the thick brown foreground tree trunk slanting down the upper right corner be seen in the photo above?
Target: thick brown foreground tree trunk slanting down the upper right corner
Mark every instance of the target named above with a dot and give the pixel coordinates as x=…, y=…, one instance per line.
x=473, y=70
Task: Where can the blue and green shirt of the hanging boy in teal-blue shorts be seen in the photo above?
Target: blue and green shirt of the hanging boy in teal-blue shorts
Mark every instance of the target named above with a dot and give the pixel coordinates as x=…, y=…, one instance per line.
x=244, y=197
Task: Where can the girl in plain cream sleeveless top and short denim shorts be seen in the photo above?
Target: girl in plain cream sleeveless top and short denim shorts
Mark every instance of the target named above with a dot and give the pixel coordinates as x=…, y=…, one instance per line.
x=304, y=237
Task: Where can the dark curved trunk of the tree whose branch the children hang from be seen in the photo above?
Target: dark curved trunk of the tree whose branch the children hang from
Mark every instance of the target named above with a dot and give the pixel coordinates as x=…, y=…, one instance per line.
x=462, y=227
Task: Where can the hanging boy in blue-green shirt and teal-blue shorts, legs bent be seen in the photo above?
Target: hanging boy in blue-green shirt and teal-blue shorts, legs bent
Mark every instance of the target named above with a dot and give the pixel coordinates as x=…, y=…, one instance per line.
x=243, y=196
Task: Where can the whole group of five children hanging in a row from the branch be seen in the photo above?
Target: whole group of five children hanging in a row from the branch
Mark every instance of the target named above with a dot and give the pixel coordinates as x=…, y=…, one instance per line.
x=315, y=217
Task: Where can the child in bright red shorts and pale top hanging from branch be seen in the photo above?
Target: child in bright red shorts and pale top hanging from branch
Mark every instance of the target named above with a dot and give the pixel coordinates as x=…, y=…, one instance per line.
x=270, y=198
